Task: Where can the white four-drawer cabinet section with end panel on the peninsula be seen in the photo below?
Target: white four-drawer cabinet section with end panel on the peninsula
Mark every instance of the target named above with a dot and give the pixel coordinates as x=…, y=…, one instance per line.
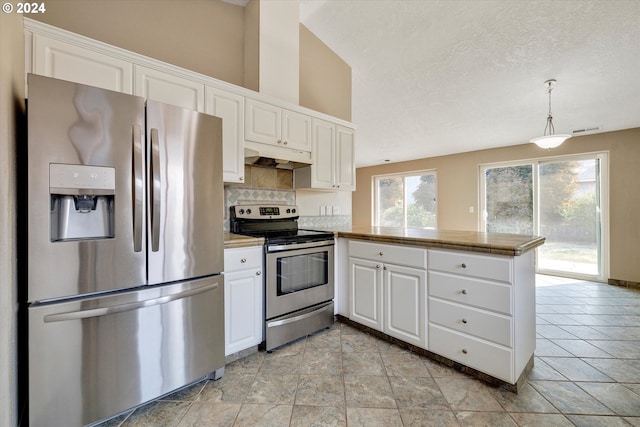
x=482, y=310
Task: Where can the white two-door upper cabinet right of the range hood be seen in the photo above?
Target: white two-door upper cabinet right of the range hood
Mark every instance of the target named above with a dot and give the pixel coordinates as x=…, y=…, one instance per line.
x=333, y=159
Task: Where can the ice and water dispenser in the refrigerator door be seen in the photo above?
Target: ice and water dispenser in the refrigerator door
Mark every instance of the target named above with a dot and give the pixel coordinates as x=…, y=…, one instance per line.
x=82, y=202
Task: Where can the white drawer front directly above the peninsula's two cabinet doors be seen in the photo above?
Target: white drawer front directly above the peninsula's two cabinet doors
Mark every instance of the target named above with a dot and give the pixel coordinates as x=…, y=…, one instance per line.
x=393, y=254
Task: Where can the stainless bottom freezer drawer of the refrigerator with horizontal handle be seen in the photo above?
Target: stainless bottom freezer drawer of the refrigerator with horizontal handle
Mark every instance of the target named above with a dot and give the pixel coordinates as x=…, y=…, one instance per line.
x=128, y=348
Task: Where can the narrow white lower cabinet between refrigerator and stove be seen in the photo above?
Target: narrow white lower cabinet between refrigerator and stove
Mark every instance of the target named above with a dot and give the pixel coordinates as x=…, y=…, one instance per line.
x=243, y=298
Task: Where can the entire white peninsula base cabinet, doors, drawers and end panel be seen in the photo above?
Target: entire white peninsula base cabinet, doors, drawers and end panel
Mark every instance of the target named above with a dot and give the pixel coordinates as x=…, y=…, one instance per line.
x=475, y=309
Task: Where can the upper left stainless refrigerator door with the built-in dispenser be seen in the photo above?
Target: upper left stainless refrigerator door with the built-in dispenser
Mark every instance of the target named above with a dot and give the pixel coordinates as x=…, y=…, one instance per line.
x=78, y=135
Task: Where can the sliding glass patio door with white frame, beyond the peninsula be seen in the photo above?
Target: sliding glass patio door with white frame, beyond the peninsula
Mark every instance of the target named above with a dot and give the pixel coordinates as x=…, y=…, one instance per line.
x=561, y=199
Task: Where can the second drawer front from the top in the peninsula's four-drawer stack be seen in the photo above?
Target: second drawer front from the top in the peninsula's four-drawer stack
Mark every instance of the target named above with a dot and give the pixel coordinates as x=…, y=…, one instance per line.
x=466, y=290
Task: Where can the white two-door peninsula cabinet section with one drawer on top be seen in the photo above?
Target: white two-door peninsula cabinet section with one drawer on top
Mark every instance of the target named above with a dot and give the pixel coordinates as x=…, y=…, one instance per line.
x=386, y=296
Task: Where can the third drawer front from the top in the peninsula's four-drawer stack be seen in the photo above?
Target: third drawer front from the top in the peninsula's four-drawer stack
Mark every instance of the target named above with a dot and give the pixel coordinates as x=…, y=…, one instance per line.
x=482, y=324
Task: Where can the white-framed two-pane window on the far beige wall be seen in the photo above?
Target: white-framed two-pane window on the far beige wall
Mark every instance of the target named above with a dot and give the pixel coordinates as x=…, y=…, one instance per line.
x=405, y=200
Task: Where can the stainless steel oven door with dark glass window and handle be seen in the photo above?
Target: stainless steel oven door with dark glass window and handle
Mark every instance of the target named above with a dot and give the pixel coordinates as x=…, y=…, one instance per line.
x=298, y=276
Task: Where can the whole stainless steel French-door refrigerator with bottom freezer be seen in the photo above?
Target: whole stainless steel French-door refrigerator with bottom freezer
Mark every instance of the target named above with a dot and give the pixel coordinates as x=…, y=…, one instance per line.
x=125, y=251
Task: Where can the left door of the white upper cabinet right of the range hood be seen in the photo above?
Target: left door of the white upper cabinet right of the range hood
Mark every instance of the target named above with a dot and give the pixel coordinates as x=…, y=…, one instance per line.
x=323, y=154
